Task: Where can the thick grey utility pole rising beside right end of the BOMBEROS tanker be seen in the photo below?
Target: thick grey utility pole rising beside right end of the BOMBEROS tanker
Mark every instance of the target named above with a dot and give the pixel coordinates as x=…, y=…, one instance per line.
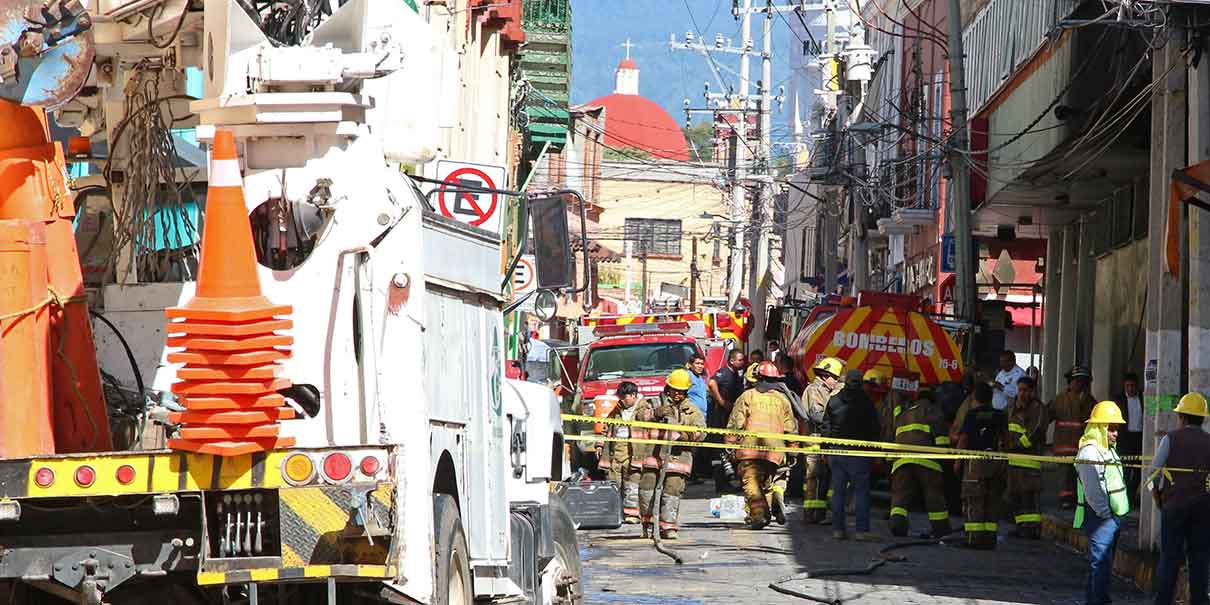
x=965, y=279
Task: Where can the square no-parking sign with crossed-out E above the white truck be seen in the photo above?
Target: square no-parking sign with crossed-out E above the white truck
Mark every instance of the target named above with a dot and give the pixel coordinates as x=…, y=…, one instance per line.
x=458, y=199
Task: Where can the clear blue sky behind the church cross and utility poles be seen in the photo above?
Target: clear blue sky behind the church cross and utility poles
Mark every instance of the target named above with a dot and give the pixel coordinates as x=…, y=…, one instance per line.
x=601, y=27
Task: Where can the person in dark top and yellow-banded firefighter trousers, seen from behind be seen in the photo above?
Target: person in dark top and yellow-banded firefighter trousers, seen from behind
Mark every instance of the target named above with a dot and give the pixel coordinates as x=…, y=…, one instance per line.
x=983, y=482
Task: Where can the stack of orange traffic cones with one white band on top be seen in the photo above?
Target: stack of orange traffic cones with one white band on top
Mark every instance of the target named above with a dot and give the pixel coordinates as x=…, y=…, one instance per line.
x=229, y=332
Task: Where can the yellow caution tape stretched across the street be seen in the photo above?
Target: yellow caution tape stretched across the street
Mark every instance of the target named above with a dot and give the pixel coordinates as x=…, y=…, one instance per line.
x=848, y=447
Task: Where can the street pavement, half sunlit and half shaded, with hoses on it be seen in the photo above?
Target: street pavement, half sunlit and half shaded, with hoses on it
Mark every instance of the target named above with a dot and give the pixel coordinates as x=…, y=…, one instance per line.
x=727, y=563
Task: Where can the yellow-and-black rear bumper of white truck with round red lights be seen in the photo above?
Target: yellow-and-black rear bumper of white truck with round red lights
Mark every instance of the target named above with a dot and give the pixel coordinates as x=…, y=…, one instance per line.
x=227, y=521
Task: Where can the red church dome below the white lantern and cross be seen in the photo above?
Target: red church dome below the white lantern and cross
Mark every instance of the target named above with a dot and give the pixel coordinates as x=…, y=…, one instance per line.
x=637, y=123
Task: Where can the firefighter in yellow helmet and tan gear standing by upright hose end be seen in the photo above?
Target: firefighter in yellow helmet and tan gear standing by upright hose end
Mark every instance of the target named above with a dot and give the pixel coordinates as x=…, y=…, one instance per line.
x=673, y=408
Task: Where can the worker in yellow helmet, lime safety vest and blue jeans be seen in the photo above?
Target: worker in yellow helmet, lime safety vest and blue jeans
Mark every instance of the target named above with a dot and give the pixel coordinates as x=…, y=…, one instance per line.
x=1102, y=497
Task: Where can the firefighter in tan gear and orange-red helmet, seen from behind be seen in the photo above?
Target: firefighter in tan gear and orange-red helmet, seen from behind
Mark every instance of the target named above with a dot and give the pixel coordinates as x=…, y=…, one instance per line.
x=763, y=410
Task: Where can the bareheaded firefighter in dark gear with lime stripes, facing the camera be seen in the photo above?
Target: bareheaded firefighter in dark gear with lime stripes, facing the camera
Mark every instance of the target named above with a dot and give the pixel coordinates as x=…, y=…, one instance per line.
x=1027, y=435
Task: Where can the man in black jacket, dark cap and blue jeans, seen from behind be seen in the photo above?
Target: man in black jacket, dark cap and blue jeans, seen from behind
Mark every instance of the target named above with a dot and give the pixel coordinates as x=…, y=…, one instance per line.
x=850, y=414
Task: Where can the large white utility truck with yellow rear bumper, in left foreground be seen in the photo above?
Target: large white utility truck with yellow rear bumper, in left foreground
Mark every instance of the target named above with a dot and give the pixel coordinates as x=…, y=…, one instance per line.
x=419, y=474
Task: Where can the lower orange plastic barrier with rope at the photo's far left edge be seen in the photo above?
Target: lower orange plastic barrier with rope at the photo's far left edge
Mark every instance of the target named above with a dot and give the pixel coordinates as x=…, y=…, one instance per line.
x=26, y=427
